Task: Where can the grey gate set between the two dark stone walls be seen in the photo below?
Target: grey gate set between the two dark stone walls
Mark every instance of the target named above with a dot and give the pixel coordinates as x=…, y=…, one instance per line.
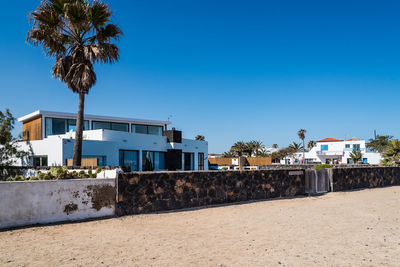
x=318, y=181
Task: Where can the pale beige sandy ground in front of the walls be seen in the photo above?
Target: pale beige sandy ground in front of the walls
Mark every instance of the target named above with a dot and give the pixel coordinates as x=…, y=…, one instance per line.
x=358, y=228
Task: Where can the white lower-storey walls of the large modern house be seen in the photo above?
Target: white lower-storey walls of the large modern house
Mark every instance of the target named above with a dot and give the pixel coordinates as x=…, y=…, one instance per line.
x=59, y=148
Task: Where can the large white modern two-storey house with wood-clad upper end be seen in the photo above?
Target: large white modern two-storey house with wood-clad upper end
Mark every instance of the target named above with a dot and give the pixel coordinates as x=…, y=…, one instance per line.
x=110, y=141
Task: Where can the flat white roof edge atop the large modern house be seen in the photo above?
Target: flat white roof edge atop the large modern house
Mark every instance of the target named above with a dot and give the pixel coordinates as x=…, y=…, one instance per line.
x=67, y=115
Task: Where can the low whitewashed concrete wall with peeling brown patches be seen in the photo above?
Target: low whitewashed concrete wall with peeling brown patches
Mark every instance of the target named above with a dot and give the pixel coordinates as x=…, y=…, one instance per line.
x=39, y=202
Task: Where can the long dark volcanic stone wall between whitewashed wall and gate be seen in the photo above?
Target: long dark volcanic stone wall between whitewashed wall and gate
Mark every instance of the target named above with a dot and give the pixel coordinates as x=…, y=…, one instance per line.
x=160, y=191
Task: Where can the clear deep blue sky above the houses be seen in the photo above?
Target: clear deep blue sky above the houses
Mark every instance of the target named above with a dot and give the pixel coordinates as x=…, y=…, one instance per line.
x=230, y=70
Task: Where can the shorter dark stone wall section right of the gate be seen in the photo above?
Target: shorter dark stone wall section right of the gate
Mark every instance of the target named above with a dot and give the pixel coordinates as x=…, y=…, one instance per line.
x=364, y=177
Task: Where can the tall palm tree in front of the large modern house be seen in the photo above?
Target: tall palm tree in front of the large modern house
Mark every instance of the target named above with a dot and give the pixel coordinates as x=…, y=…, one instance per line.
x=77, y=33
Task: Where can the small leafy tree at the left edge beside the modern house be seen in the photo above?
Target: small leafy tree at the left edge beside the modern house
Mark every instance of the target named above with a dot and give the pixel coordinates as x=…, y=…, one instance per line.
x=9, y=150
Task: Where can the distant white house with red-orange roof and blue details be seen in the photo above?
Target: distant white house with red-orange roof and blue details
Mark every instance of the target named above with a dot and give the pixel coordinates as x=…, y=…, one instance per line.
x=335, y=151
